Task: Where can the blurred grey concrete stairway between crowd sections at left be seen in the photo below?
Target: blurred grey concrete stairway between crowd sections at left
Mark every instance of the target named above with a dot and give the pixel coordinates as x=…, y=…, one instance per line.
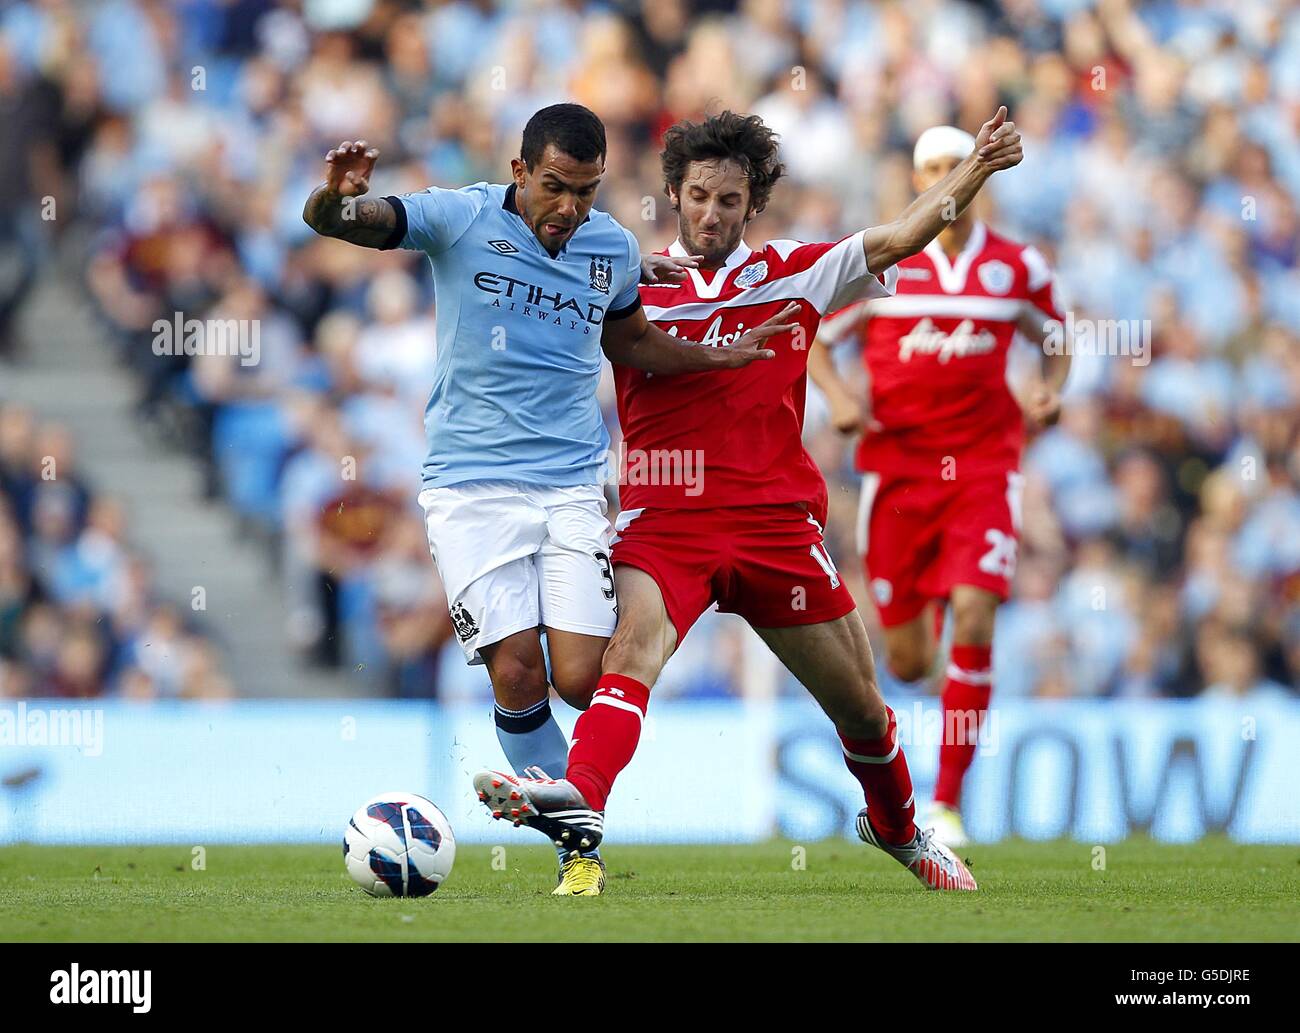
x=70, y=375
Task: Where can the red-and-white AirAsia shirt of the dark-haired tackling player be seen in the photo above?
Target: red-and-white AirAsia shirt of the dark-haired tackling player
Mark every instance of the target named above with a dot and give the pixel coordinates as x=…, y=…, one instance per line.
x=734, y=437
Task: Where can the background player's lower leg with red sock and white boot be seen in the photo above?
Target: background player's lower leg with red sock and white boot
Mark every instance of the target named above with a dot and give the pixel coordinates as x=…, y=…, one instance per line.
x=968, y=685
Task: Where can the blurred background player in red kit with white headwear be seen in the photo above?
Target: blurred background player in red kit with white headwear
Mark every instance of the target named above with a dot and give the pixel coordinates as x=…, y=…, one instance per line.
x=941, y=449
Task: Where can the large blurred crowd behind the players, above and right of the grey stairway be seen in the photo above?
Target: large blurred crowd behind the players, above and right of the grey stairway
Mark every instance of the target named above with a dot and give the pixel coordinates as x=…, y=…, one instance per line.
x=1162, y=549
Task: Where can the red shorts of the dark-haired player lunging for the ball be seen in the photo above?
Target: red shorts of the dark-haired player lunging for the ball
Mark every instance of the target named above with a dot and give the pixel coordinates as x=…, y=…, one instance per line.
x=766, y=563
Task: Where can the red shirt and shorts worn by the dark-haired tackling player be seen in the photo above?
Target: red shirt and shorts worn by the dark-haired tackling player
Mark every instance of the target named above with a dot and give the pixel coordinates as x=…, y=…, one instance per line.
x=753, y=518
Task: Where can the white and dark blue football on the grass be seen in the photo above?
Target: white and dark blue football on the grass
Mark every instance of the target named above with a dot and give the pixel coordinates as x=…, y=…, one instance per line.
x=398, y=845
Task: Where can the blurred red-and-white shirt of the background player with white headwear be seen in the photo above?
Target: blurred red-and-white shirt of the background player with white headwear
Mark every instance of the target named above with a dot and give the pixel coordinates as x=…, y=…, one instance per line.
x=937, y=355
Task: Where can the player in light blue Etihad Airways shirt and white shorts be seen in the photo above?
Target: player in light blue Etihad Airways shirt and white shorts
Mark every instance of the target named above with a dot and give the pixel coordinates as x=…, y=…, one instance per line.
x=532, y=285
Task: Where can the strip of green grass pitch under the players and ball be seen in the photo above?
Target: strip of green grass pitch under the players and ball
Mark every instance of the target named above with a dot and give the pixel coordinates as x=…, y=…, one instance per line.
x=1214, y=891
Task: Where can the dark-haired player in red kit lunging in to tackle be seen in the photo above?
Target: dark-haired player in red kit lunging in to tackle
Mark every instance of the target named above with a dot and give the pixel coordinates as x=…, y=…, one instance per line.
x=722, y=504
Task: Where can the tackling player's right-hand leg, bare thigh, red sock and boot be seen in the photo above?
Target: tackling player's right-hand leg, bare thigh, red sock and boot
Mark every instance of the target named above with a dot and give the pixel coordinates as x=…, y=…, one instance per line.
x=834, y=662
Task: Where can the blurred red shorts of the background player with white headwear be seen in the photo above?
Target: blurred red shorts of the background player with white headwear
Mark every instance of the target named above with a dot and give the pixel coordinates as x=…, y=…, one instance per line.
x=920, y=537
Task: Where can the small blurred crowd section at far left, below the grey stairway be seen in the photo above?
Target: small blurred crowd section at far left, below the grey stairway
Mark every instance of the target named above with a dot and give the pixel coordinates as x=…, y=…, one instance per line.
x=79, y=613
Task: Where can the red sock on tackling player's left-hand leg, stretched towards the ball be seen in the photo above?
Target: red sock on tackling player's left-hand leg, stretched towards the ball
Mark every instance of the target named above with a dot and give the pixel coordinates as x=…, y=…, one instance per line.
x=606, y=736
